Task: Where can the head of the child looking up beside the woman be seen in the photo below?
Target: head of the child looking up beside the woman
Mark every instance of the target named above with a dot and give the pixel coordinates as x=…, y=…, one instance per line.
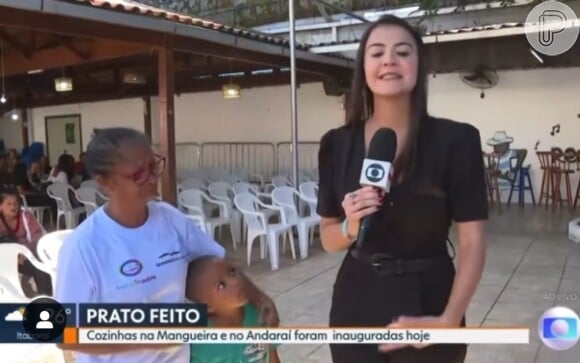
x=215, y=282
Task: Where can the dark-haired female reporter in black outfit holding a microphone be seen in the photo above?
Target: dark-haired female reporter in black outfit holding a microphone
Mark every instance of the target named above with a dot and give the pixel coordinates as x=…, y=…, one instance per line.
x=402, y=273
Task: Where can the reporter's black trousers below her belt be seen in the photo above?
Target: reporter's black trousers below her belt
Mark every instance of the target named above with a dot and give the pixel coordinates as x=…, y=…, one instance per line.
x=361, y=297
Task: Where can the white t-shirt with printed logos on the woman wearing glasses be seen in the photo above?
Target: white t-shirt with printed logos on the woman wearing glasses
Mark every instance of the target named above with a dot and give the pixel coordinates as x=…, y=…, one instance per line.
x=104, y=262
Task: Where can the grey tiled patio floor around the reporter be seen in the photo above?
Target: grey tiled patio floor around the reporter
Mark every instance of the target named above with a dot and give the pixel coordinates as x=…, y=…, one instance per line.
x=529, y=258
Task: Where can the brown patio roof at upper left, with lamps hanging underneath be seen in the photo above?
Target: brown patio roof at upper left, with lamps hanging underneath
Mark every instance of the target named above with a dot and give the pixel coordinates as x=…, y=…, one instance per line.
x=96, y=41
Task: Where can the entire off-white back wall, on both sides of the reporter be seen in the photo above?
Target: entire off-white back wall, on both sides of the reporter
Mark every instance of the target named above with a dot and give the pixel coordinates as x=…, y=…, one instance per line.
x=525, y=104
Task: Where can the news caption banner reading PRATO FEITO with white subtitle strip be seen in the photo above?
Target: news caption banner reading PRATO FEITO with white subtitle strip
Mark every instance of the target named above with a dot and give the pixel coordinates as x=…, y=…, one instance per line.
x=45, y=320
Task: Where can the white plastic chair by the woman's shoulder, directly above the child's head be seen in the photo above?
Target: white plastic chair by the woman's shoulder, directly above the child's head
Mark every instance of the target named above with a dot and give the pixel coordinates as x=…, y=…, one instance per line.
x=194, y=201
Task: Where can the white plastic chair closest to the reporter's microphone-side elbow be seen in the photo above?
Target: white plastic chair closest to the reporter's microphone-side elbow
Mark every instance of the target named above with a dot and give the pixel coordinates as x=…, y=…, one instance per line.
x=285, y=198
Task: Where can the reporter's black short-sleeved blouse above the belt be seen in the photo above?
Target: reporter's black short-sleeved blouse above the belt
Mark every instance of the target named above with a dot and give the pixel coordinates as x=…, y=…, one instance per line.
x=448, y=185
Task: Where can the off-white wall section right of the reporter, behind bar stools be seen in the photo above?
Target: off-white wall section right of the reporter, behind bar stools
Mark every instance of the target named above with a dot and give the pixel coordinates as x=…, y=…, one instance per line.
x=525, y=104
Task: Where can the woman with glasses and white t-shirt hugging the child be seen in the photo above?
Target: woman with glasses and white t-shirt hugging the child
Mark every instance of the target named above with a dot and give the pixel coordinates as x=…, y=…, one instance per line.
x=134, y=249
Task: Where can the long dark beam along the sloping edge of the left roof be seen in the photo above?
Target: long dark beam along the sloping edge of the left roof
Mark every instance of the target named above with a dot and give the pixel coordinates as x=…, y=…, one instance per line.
x=150, y=30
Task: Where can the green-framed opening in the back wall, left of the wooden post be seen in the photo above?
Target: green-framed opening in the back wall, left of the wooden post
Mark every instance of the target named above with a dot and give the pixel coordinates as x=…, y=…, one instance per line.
x=63, y=136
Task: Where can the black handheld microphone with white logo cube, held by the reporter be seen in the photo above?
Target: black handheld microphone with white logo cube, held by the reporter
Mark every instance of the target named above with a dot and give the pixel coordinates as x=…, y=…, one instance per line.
x=377, y=168
